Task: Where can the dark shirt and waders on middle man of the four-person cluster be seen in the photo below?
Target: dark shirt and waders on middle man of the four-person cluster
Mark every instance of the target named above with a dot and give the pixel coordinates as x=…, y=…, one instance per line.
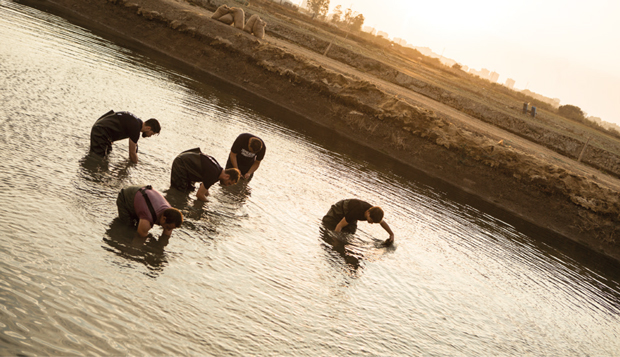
x=193, y=166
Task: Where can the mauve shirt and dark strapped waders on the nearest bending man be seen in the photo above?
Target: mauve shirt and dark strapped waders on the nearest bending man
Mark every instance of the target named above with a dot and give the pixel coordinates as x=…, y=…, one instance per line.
x=132, y=205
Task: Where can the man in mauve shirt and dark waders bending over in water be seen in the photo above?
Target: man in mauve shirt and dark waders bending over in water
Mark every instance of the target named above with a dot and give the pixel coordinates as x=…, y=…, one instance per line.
x=142, y=206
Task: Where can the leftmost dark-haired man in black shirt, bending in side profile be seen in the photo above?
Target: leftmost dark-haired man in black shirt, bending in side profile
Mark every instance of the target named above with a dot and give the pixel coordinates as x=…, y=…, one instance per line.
x=117, y=126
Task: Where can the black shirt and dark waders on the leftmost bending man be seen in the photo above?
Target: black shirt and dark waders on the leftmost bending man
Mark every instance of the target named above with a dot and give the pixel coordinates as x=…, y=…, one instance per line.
x=112, y=127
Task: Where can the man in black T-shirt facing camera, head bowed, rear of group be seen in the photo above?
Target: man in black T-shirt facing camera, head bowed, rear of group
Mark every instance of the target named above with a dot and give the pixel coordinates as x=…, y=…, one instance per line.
x=246, y=154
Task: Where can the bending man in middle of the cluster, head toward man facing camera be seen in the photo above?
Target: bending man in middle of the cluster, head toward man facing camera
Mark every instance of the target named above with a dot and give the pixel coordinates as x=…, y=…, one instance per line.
x=193, y=166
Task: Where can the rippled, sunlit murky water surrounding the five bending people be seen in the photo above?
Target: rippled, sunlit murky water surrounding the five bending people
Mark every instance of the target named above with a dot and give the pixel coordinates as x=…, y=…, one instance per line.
x=250, y=272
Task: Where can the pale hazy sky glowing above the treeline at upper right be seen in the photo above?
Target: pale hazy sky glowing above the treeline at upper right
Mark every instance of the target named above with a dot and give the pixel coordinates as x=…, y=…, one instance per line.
x=560, y=49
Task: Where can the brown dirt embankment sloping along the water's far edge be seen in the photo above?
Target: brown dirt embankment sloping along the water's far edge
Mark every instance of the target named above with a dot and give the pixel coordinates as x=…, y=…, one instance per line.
x=532, y=188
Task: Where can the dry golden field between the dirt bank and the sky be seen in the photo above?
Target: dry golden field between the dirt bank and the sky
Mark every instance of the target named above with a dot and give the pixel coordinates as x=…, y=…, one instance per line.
x=490, y=102
